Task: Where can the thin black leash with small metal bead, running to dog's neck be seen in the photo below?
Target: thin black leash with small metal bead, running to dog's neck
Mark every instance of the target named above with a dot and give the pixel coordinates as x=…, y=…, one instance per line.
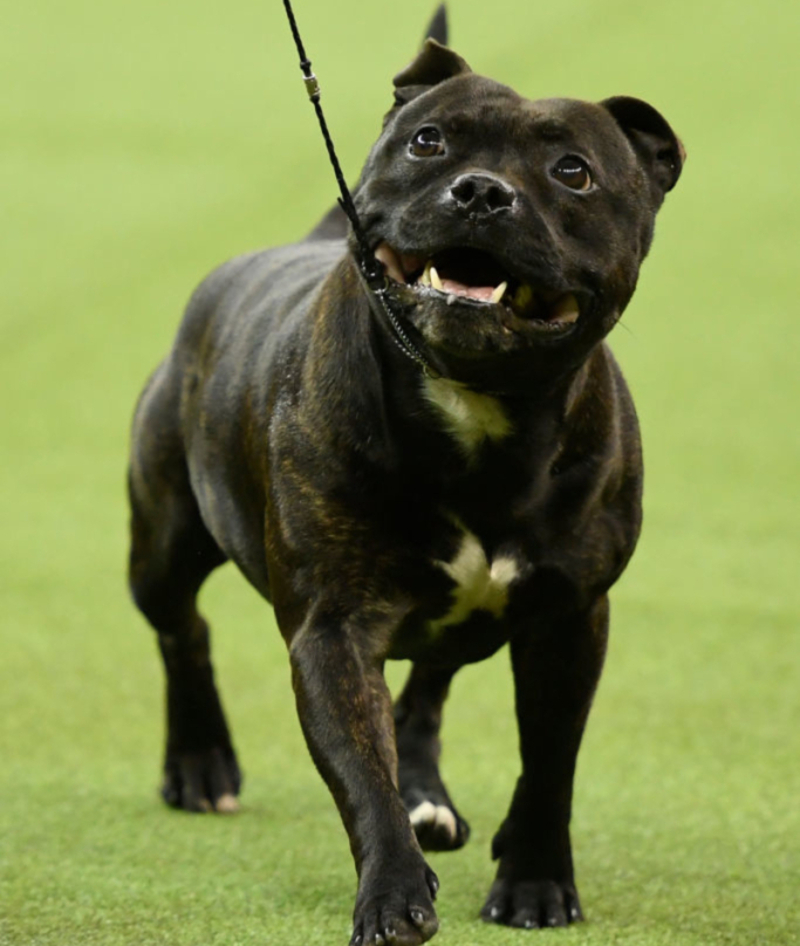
x=369, y=265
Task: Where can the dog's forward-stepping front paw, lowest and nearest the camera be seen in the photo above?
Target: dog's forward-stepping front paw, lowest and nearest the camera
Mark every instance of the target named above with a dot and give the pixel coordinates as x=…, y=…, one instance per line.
x=395, y=909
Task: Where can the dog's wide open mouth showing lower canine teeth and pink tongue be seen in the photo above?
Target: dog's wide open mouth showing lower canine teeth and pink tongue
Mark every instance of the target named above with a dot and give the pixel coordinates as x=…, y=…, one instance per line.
x=465, y=273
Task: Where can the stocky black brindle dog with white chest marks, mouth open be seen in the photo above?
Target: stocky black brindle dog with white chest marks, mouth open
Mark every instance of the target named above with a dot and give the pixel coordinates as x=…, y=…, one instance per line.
x=429, y=479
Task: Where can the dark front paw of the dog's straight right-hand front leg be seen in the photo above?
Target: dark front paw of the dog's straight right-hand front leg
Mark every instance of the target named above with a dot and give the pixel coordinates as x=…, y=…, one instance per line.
x=532, y=904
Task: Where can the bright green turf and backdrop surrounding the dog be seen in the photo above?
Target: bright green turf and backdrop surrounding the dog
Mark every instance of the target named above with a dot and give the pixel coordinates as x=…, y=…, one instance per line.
x=144, y=143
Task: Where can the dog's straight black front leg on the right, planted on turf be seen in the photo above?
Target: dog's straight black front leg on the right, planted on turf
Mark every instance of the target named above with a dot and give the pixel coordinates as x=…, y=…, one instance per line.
x=556, y=670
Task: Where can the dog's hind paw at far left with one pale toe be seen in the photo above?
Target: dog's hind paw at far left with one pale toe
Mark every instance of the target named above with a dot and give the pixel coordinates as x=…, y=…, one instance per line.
x=202, y=781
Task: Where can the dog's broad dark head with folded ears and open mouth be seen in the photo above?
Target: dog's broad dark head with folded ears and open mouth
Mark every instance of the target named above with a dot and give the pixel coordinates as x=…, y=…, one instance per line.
x=511, y=229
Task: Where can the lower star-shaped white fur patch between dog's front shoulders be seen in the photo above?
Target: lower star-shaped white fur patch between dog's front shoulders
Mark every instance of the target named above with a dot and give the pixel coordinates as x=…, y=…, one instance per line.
x=480, y=584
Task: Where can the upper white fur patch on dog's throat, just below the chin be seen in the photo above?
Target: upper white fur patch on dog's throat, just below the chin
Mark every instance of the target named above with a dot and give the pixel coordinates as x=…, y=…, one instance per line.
x=469, y=416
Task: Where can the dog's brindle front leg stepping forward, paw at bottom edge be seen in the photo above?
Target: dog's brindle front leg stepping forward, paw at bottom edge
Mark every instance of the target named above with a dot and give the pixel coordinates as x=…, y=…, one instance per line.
x=346, y=713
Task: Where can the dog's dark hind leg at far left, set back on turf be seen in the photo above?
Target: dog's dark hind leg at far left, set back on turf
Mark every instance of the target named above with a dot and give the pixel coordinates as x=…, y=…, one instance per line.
x=172, y=553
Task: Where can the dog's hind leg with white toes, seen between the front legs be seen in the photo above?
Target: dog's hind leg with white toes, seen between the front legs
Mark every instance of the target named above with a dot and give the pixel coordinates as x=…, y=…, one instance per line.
x=418, y=719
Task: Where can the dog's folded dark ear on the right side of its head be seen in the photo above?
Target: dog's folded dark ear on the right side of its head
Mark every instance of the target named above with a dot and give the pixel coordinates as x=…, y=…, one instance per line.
x=654, y=141
